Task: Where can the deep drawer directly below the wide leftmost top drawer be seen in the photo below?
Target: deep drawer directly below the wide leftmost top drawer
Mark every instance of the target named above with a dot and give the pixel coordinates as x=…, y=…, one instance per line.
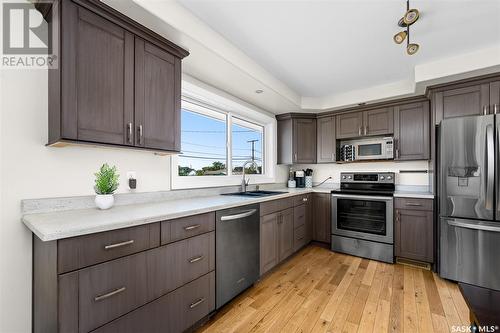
x=111, y=289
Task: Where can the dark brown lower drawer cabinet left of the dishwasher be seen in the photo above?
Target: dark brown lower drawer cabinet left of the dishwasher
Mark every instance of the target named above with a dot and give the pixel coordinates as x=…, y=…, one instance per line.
x=156, y=289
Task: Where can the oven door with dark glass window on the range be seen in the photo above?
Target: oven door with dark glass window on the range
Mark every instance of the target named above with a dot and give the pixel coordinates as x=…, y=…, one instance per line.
x=363, y=217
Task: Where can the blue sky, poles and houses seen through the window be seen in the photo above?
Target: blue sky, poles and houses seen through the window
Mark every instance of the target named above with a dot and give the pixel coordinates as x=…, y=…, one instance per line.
x=211, y=147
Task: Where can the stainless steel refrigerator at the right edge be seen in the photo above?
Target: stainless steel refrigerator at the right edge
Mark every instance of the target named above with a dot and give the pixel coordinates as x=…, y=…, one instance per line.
x=469, y=200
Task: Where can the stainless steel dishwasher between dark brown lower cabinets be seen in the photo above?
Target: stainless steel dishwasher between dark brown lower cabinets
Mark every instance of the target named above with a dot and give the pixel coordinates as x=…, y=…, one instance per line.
x=237, y=251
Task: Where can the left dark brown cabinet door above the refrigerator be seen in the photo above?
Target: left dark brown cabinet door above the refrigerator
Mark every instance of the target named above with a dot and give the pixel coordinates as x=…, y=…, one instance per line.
x=466, y=101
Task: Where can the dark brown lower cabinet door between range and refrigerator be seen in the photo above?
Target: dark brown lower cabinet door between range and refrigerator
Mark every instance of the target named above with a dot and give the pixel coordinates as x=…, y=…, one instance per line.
x=414, y=234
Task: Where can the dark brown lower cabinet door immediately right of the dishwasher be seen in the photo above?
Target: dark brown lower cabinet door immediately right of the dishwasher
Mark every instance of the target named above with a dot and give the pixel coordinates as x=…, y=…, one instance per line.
x=268, y=242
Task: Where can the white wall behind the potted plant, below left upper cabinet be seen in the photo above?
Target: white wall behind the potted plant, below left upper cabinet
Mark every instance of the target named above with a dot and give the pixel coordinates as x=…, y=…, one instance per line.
x=31, y=170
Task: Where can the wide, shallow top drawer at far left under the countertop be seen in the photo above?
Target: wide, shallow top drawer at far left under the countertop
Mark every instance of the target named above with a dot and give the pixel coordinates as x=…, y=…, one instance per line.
x=78, y=252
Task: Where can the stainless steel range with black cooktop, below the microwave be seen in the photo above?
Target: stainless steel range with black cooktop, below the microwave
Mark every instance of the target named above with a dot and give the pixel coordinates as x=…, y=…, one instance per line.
x=362, y=215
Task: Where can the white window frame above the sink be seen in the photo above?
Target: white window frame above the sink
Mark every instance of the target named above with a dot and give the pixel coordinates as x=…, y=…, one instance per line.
x=214, y=105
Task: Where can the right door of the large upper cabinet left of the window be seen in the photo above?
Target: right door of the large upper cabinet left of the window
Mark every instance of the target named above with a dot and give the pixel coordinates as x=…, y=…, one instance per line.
x=157, y=97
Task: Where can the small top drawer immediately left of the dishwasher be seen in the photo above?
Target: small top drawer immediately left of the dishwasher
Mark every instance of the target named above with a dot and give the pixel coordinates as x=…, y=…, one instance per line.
x=187, y=227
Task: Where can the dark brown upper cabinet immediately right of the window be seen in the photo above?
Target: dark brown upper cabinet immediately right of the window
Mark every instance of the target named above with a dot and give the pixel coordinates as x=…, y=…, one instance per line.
x=296, y=138
